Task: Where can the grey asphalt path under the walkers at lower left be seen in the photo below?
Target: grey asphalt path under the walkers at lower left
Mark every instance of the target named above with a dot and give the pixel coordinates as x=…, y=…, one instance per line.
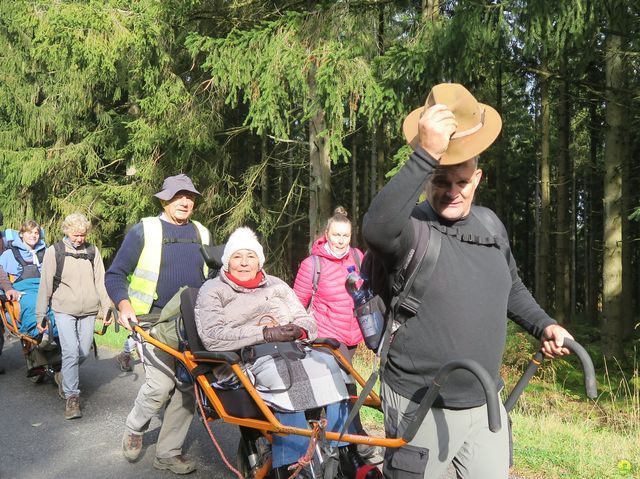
x=37, y=442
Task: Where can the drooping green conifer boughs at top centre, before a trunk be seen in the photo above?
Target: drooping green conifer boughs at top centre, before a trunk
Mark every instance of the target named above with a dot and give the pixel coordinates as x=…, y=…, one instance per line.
x=284, y=70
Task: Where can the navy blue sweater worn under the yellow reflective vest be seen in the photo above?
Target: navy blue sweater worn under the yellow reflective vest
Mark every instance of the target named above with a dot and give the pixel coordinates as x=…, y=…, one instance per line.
x=180, y=265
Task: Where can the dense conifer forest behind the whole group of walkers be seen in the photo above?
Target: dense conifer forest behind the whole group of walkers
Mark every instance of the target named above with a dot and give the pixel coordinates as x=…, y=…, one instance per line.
x=281, y=110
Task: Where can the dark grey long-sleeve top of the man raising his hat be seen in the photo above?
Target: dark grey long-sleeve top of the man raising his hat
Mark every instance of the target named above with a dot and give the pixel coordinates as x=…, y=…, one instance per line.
x=465, y=304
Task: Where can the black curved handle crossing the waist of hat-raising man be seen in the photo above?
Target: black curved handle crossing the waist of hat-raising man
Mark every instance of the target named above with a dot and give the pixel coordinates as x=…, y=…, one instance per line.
x=488, y=384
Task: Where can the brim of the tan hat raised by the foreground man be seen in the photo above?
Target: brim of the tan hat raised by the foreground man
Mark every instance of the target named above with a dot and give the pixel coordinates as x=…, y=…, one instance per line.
x=459, y=149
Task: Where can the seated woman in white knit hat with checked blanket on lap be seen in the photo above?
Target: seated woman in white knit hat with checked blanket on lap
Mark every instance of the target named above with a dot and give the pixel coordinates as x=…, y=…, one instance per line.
x=242, y=307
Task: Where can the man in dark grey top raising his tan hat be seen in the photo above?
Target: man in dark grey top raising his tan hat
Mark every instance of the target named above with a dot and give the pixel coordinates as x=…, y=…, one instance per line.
x=463, y=297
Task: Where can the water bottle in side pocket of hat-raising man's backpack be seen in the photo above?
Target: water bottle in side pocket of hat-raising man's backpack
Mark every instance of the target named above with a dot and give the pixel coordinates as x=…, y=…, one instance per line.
x=367, y=312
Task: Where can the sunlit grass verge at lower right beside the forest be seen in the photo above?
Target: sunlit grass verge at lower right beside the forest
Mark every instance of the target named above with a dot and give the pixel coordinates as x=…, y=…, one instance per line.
x=558, y=433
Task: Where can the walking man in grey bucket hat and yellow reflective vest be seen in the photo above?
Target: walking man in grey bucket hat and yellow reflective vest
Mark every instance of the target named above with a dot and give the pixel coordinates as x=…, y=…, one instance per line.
x=157, y=257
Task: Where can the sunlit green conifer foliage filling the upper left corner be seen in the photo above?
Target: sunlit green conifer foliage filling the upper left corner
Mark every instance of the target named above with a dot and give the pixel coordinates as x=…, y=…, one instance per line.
x=92, y=95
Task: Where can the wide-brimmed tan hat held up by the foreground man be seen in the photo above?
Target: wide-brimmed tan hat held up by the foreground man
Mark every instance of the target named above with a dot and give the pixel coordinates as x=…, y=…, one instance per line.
x=478, y=124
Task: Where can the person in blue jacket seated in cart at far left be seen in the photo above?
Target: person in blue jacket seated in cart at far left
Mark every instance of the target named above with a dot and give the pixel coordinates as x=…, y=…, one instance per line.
x=22, y=261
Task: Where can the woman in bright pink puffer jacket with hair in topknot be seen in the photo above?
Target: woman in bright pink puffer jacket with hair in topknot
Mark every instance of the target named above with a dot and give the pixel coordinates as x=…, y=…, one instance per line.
x=331, y=305
